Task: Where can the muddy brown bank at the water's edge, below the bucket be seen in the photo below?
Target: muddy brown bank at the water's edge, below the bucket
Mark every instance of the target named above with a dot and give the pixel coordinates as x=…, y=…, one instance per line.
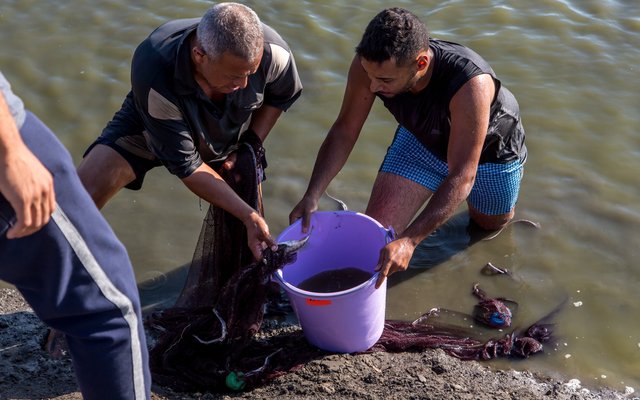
x=27, y=372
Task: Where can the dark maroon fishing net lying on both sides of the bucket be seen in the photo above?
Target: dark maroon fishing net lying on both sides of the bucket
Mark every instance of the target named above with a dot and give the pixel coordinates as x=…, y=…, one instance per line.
x=210, y=339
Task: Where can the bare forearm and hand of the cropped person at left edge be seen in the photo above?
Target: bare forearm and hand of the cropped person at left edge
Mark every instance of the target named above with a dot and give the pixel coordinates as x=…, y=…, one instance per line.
x=24, y=181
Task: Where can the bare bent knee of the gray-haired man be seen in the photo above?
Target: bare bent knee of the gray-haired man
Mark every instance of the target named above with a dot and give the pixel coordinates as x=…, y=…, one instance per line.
x=103, y=173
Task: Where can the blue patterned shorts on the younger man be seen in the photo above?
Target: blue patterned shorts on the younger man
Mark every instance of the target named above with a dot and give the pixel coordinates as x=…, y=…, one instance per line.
x=494, y=192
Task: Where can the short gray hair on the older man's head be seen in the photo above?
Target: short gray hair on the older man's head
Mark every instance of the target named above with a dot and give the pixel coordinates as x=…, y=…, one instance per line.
x=231, y=27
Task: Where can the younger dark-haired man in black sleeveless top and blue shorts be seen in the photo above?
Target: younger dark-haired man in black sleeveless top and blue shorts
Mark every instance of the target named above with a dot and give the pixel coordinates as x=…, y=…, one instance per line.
x=459, y=136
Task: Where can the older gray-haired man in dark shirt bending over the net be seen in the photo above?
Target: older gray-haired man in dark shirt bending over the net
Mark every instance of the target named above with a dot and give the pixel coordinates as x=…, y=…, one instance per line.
x=200, y=87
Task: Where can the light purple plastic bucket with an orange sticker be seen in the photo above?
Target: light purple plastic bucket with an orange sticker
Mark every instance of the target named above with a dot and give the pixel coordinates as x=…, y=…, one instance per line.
x=347, y=321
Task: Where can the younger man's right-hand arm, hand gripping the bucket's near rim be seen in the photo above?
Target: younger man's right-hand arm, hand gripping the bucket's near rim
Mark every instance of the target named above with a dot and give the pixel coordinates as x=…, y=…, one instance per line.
x=469, y=122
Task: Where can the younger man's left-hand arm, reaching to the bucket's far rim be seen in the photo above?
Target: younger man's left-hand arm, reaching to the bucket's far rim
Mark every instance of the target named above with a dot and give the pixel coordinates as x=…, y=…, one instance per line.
x=337, y=146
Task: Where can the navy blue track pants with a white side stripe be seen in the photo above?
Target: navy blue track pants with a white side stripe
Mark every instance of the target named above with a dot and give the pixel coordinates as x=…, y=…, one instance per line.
x=77, y=277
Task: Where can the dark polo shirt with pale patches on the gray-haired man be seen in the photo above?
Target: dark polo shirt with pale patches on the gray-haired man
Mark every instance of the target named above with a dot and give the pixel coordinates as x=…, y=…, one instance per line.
x=181, y=125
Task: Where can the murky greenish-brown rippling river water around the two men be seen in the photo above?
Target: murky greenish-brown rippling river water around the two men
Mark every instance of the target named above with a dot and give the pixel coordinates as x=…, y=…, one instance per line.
x=572, y=64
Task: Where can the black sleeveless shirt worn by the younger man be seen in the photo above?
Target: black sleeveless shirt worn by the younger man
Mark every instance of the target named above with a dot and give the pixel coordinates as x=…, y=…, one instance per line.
x=426, y=114
